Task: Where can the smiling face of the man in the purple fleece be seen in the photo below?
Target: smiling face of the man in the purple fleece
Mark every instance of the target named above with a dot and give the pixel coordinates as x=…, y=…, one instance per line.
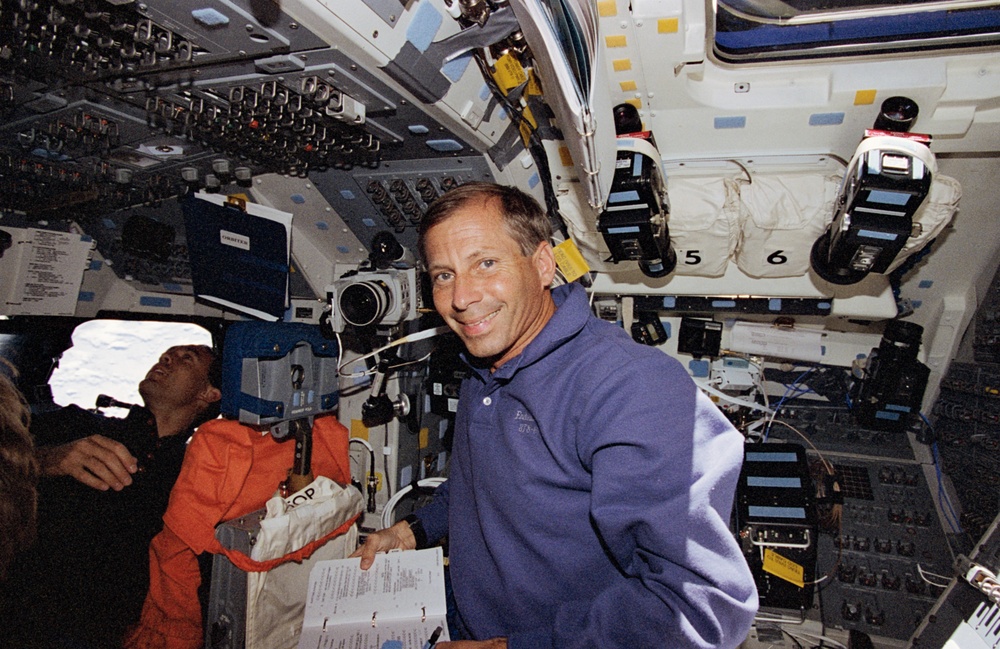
x=490, y=294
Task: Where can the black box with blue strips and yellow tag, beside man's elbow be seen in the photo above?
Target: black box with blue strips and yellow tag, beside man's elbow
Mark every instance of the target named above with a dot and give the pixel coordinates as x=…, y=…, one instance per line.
x=776, y=526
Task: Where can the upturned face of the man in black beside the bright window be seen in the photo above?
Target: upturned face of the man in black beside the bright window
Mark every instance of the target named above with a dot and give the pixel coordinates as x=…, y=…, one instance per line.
x=179, y=378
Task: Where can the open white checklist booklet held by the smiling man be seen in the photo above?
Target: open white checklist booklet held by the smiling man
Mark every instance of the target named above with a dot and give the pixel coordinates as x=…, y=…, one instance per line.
x=396, y=604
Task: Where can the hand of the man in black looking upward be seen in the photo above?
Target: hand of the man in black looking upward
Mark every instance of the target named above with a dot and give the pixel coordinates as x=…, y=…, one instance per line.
x=96, y=461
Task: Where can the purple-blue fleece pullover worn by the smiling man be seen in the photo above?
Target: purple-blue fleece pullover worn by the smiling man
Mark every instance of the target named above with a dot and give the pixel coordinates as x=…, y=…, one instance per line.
x=589, y=497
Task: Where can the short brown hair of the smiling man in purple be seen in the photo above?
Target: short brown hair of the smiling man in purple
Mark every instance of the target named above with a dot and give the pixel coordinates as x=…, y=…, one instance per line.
x=523, y=217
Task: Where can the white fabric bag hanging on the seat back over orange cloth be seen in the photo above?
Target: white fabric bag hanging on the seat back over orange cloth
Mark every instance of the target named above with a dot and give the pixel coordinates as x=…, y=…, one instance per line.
x=276, y=598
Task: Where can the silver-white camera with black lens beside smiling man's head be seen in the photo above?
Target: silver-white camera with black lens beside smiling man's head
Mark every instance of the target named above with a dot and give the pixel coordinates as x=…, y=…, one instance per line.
x=372, y=298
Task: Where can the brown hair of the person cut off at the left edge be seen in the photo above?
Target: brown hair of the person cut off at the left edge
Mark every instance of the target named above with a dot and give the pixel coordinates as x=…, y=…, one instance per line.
x=18, y=475
